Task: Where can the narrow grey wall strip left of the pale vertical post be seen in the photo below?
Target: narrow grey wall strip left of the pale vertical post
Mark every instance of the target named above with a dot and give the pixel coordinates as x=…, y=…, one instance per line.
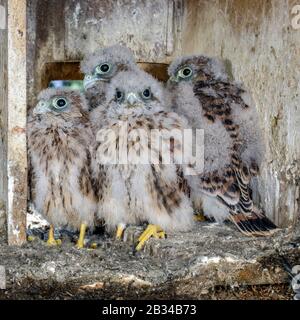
x=3, y=114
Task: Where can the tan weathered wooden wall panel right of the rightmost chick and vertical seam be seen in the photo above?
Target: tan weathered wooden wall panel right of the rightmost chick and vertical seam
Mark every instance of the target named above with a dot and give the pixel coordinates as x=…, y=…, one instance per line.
x=258, y=38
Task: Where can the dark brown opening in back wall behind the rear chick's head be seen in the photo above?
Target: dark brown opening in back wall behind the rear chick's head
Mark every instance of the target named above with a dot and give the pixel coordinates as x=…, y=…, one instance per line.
x=71, y=71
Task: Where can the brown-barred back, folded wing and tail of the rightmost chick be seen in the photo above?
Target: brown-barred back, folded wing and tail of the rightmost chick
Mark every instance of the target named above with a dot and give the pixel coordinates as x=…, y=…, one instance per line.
x=227, y=171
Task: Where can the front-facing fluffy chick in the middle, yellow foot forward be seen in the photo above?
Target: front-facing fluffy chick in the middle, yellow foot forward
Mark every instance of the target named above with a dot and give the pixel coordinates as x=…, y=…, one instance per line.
x=131, y=189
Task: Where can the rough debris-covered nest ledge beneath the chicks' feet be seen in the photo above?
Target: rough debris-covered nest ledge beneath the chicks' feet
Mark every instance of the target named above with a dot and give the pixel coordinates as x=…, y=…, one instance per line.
x=185, y=265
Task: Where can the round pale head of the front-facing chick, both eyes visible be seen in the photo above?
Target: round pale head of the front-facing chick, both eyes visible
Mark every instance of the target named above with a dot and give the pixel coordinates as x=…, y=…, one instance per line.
x=134, y=93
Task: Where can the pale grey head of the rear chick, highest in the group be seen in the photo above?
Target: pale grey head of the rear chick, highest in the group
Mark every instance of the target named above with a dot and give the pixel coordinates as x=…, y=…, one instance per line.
x=105, y=63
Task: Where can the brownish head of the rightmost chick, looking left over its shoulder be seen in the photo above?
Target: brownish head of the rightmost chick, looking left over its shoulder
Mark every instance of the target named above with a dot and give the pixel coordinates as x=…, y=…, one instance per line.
x=196, y=68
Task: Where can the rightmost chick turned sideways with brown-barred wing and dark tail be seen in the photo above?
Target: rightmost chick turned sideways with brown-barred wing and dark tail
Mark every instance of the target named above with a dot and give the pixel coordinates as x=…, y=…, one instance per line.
x=202, y=91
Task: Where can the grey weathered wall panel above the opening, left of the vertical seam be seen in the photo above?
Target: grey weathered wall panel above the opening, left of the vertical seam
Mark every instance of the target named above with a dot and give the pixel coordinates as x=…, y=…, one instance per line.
x=65, y=30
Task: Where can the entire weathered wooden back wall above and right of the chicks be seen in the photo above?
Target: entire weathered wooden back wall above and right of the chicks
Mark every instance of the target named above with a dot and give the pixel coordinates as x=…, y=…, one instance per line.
x=256, y=36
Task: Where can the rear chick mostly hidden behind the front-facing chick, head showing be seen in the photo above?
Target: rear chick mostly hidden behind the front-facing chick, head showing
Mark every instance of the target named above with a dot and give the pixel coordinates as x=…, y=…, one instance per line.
x=100, y=67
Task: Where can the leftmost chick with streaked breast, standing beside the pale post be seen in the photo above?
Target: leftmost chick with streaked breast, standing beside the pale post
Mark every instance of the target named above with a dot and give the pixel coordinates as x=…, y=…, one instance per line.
x=59, y=140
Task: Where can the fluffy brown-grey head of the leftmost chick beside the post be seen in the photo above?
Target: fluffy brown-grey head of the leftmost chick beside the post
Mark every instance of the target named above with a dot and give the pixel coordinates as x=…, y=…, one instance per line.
x=60, y=104
